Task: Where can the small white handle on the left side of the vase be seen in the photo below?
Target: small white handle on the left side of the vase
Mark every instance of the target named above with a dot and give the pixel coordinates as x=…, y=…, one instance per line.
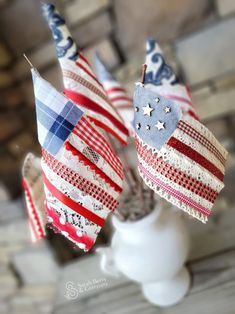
x=107, y=262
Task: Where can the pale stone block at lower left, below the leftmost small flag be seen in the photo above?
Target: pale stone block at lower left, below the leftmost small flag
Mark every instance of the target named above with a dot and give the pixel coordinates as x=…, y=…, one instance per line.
x=36, y=265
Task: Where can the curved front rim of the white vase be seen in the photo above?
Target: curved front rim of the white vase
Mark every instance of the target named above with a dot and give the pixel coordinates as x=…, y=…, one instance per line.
x=146, y=220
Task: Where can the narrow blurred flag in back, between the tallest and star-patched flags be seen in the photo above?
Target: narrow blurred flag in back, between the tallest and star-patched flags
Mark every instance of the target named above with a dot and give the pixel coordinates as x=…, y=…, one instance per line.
x=117, y=95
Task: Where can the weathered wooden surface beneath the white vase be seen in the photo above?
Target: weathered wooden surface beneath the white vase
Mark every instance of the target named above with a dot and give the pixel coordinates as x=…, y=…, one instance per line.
x=211, y=263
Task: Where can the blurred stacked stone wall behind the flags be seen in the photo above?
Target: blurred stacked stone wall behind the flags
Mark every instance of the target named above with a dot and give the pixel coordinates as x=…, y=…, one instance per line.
x=198, y=38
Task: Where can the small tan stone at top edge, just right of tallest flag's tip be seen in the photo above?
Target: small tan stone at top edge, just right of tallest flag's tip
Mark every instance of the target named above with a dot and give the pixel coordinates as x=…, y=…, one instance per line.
x=79, y=10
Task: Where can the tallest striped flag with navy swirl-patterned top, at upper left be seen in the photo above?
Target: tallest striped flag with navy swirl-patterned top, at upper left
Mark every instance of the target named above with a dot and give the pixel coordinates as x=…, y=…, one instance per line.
x=80, y=82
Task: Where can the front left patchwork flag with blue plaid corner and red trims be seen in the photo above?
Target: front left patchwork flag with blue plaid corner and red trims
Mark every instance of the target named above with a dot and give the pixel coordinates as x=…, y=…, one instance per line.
x=81, y=174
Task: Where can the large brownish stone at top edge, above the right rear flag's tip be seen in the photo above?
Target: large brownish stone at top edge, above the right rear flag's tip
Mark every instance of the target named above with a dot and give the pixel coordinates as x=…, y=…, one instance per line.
x=161, y=19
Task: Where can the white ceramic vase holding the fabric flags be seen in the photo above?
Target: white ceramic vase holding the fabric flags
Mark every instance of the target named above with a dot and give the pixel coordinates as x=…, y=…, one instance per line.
x=152, y=252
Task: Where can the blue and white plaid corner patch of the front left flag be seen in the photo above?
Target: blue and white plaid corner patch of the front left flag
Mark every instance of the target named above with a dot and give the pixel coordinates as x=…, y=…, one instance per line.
x=56, y=115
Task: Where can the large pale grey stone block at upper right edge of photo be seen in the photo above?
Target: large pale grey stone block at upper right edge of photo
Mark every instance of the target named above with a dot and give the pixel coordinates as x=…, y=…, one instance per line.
x=208, y=53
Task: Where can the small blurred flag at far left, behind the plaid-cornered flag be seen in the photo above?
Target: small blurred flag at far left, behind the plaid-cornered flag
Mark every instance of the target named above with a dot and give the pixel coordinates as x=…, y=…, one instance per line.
x=34, y=196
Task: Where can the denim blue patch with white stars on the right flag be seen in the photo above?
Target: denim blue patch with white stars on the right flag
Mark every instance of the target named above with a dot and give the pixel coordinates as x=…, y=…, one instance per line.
x=156, y=117
